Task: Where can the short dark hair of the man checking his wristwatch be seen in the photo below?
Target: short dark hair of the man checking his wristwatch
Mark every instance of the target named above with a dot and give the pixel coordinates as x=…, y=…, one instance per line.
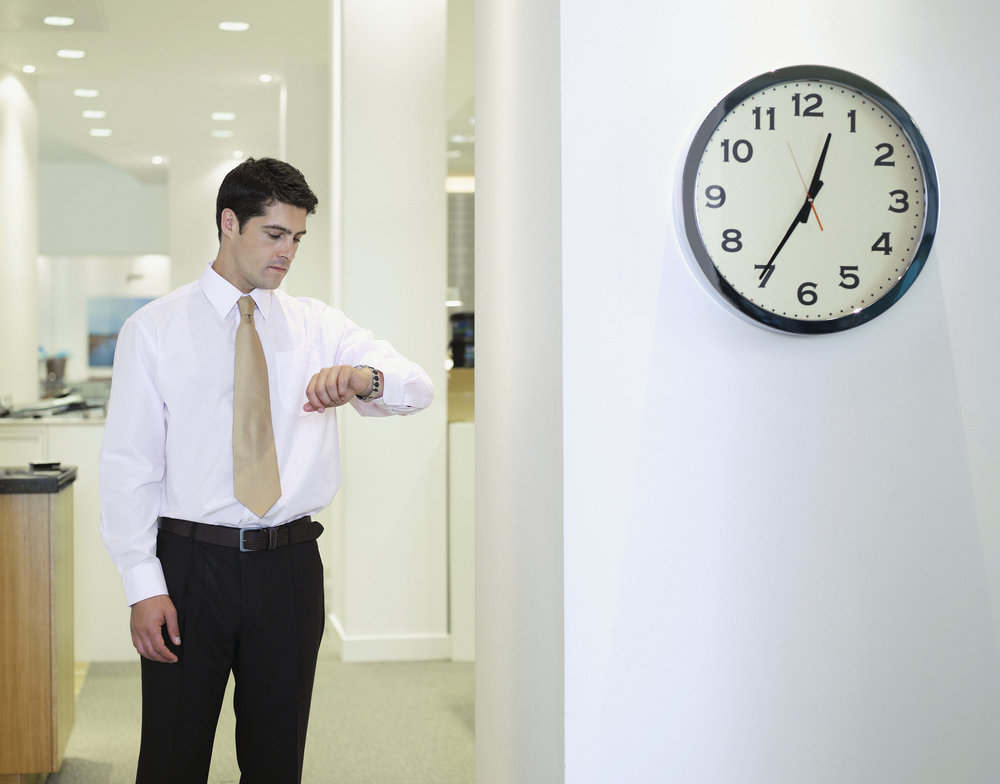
x=254, y=185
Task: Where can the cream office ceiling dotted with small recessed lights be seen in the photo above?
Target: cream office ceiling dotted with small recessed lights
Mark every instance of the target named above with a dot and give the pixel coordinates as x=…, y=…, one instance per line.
x=162, y=69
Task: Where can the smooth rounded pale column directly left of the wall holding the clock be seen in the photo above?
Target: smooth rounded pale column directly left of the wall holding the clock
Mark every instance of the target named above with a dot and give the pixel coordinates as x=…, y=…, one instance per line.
x=519, y=395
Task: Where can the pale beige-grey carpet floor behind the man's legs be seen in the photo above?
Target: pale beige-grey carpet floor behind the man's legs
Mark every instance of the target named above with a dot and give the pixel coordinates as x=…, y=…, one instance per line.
x=384, y=723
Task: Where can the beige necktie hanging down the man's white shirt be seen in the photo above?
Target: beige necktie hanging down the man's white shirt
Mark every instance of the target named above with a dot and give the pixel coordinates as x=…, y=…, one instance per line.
x=255, y=462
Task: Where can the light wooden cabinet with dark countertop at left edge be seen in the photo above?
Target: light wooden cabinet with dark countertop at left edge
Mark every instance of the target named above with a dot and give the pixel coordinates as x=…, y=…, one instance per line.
x=36, y=620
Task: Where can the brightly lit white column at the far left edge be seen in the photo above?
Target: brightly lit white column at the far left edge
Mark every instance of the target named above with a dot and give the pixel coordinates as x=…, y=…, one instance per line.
x=19, y=374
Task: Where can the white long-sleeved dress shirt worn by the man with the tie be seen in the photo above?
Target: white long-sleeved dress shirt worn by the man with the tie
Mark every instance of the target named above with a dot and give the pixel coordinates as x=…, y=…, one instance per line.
x=168, y=440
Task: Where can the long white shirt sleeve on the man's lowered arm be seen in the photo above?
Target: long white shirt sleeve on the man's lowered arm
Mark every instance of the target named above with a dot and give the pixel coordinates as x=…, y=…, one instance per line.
x=131, y=468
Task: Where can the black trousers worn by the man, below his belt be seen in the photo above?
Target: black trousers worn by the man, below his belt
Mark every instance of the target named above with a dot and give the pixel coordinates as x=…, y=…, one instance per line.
x=258, y=615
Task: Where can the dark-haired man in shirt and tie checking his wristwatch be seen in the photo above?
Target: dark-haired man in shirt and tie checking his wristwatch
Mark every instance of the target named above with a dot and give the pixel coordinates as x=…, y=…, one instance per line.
x=212, y=534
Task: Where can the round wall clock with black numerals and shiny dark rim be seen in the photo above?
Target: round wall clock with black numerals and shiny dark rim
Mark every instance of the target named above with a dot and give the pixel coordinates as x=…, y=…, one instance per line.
x=809, y=200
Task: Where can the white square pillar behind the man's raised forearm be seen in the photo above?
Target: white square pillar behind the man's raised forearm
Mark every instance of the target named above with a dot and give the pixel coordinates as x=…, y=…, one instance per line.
x=390, y=570
